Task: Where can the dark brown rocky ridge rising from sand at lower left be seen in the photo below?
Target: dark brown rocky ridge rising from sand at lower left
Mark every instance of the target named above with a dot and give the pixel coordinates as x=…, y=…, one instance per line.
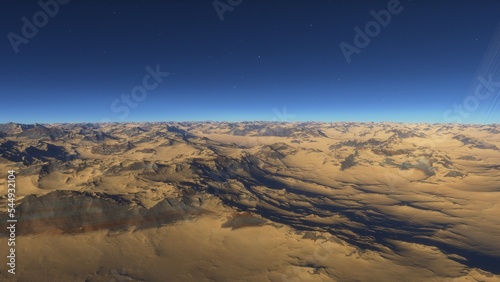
x=76, y=212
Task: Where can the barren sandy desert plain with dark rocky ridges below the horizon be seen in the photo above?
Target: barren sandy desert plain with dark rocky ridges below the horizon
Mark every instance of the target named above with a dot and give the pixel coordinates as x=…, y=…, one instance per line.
x=253, y=201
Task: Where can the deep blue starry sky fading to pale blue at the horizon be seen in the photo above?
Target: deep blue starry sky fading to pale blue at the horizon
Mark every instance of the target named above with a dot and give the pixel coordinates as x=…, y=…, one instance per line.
x=243, y=60
